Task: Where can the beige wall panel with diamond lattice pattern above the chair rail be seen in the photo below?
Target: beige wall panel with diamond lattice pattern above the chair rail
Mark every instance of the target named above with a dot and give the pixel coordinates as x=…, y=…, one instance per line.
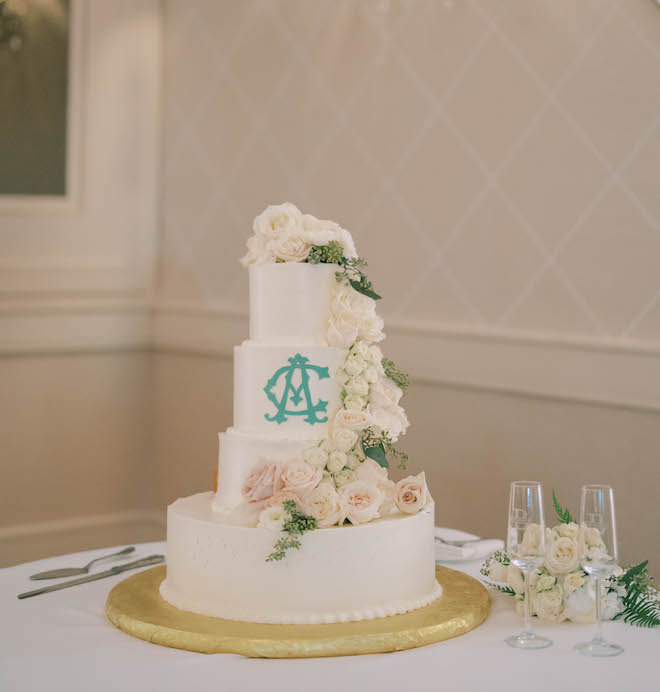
x=496, y=160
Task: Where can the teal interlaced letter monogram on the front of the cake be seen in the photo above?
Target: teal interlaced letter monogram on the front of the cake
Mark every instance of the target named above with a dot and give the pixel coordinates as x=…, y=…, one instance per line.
x=295, y=393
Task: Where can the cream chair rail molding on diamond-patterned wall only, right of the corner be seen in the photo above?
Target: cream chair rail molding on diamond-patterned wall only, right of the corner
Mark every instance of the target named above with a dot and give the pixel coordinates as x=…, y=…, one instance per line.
x=618, y=373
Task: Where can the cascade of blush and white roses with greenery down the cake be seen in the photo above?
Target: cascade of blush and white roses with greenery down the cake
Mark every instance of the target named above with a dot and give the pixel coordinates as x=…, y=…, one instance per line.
x=343, y=478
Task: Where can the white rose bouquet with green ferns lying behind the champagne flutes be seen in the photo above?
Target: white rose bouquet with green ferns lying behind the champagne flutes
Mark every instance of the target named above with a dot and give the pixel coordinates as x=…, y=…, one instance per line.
x=562, y=590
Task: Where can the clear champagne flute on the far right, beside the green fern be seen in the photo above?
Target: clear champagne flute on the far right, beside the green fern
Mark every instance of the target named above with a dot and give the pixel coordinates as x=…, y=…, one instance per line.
x=597, y=550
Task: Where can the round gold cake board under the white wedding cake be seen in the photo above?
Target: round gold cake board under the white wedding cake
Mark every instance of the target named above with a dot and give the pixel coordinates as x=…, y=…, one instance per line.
x=136, y=607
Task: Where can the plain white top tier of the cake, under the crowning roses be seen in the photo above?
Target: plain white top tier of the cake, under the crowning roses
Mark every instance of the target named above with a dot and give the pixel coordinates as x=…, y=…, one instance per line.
x=290, y=303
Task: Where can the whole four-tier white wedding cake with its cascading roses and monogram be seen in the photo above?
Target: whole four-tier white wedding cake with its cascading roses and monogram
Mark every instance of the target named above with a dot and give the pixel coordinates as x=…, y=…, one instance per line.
x=305, y=525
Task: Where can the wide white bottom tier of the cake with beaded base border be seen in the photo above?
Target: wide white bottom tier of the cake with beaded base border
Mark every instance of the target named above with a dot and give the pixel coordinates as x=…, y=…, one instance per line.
x=340, y=574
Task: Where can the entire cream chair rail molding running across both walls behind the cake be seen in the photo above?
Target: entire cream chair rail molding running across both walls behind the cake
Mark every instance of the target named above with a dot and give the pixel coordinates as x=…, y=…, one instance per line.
x=607, y=372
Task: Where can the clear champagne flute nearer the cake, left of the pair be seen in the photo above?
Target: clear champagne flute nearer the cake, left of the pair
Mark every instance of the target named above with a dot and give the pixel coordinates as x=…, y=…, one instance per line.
x=526, y=547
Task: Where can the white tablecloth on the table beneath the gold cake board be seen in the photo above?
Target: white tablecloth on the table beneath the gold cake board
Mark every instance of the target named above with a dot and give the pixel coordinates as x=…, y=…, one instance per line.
x=62, y=641
